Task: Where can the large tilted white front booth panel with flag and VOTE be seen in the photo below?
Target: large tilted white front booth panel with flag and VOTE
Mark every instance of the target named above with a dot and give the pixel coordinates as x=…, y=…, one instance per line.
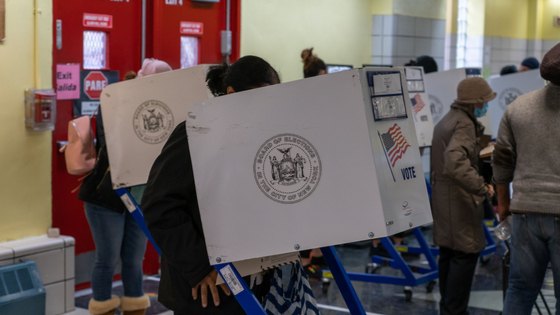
x=338, y=150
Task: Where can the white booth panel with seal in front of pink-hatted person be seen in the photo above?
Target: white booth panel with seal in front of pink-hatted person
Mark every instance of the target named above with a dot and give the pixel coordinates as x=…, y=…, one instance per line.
x=140, y=114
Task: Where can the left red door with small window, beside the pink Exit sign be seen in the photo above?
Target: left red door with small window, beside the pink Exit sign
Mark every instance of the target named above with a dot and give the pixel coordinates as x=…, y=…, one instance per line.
x=105, y=35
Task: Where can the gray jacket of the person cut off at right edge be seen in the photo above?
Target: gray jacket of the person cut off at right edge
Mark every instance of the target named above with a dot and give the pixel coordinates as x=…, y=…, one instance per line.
x=527, y=151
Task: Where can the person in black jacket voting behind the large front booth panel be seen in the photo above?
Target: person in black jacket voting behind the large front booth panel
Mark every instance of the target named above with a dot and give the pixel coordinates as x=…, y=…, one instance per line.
x=171, y=209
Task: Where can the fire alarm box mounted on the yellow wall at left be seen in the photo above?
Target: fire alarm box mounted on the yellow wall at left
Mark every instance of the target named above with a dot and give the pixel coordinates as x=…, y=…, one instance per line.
x=40, y=109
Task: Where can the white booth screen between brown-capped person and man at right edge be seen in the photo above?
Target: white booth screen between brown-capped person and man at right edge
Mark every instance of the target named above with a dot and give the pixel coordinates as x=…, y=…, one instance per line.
x=508, y=88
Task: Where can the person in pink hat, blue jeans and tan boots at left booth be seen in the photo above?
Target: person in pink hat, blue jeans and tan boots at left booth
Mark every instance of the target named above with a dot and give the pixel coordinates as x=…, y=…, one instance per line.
x=115, y=232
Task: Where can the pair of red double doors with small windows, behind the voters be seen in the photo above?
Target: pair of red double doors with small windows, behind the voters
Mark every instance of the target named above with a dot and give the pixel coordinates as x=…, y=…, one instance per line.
x=107, y=35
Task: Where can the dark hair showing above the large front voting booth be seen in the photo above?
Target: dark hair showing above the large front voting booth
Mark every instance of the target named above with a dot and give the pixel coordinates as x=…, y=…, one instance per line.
x=246, y=73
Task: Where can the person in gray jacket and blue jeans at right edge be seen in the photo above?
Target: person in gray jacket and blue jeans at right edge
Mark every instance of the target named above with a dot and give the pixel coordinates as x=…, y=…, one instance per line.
x=527, y=154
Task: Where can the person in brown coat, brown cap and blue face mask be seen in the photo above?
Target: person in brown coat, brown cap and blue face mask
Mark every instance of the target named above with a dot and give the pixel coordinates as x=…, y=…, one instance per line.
x=458, y=191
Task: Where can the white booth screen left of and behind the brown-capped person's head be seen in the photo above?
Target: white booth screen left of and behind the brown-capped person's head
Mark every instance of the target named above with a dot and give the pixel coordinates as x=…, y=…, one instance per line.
x=443, y=92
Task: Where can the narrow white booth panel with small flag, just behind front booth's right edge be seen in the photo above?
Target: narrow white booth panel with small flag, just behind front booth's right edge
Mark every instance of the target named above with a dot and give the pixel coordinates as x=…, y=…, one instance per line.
x=420, y=111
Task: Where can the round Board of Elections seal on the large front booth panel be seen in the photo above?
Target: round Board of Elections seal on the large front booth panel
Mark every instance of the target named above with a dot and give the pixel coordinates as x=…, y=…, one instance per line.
x=287, y=168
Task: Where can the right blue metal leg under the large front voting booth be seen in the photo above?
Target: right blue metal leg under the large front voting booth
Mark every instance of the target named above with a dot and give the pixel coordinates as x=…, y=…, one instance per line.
x=342, y=281
